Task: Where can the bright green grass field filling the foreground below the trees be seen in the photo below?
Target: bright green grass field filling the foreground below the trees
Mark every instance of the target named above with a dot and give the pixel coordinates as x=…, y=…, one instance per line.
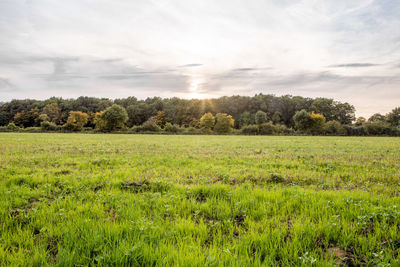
x=151, y=200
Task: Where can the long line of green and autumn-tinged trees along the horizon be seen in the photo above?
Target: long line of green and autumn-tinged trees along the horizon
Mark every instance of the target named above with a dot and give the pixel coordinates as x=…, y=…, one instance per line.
x=259, y=114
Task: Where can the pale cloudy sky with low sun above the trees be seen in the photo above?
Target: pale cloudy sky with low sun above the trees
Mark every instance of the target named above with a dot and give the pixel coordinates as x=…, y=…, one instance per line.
x=341, y=49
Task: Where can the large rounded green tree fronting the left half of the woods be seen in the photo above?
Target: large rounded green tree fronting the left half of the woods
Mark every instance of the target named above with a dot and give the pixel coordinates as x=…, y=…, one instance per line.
x=112, y=118
